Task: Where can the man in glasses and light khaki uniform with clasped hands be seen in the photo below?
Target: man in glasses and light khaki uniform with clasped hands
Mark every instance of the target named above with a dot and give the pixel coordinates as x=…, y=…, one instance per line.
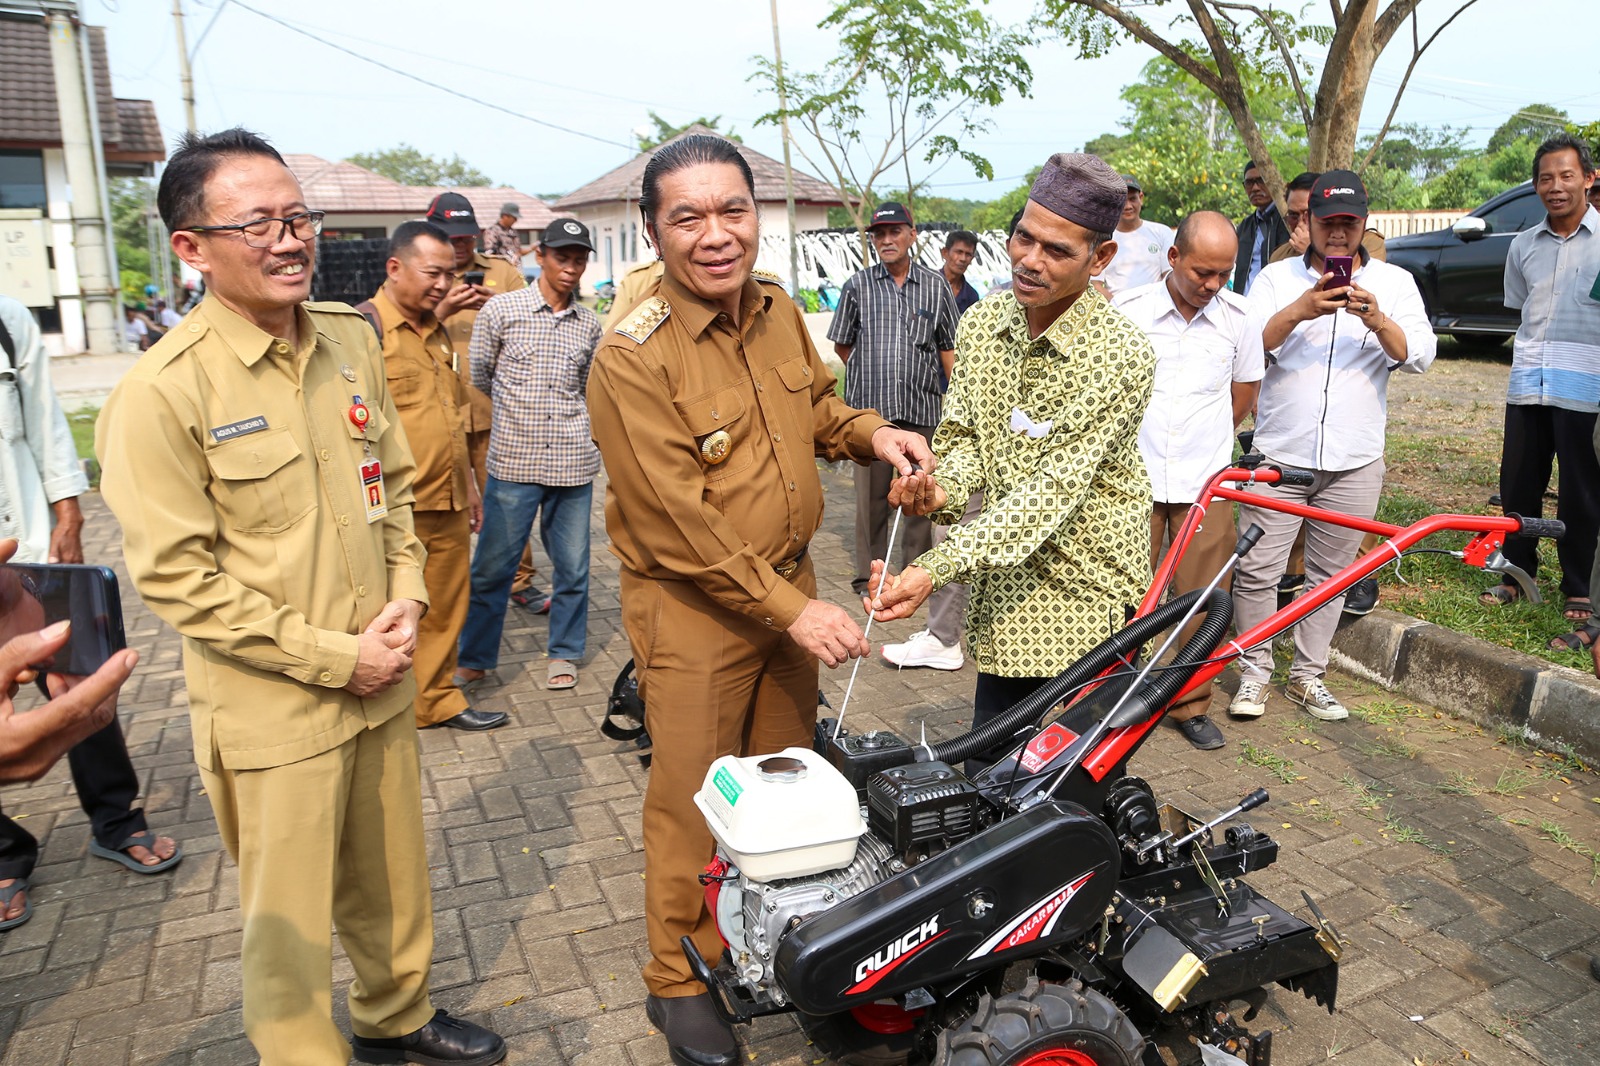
x=263, y=484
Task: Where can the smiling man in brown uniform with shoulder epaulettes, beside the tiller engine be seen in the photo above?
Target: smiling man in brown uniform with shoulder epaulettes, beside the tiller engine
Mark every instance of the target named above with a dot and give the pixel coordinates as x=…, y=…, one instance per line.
x=711, y=407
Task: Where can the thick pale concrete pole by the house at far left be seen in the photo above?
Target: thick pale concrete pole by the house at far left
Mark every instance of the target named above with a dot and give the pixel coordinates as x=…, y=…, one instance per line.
x=76, y=105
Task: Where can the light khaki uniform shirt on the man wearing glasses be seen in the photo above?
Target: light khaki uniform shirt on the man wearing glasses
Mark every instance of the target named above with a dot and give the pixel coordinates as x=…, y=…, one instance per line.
x=233, y=465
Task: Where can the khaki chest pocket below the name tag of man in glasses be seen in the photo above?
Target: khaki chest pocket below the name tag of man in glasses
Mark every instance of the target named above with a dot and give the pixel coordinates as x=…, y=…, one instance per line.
x=262, y=483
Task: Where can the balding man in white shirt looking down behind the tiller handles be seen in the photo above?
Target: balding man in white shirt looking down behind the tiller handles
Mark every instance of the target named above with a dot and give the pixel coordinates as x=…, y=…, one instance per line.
x=1209, y=367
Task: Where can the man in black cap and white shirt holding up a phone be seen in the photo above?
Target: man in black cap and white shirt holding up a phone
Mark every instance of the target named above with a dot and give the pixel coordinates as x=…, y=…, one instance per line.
x=1330, y=350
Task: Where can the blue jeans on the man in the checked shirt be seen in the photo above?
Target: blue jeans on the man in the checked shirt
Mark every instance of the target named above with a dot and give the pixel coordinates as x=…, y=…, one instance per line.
x=510, y=510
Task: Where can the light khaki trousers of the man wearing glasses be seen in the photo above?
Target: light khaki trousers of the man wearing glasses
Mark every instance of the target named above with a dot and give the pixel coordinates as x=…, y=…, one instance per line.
x=330, y=841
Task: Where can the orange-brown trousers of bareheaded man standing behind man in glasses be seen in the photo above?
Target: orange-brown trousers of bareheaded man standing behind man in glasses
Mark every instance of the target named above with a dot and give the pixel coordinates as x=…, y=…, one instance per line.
x=447, y=535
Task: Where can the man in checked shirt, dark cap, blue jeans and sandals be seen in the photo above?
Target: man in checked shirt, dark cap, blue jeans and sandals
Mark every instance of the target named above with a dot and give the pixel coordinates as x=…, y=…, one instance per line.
x=532, y=351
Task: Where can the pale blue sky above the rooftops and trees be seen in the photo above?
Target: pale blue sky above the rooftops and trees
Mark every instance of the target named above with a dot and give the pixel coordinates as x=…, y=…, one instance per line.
x=599, y=68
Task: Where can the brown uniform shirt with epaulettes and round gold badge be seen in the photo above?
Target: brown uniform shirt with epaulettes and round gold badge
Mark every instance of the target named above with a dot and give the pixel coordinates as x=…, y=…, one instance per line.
x=663, y=385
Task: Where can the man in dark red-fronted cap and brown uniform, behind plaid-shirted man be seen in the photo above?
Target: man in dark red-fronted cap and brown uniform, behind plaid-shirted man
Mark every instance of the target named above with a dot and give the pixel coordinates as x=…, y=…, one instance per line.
x=458, y=311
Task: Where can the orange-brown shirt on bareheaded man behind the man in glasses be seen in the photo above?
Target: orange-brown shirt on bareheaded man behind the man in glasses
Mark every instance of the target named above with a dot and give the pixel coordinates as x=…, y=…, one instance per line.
x=433, y=403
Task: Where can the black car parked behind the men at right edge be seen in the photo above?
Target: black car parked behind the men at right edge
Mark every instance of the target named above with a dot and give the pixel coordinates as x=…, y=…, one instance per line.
x=1462, y=271
